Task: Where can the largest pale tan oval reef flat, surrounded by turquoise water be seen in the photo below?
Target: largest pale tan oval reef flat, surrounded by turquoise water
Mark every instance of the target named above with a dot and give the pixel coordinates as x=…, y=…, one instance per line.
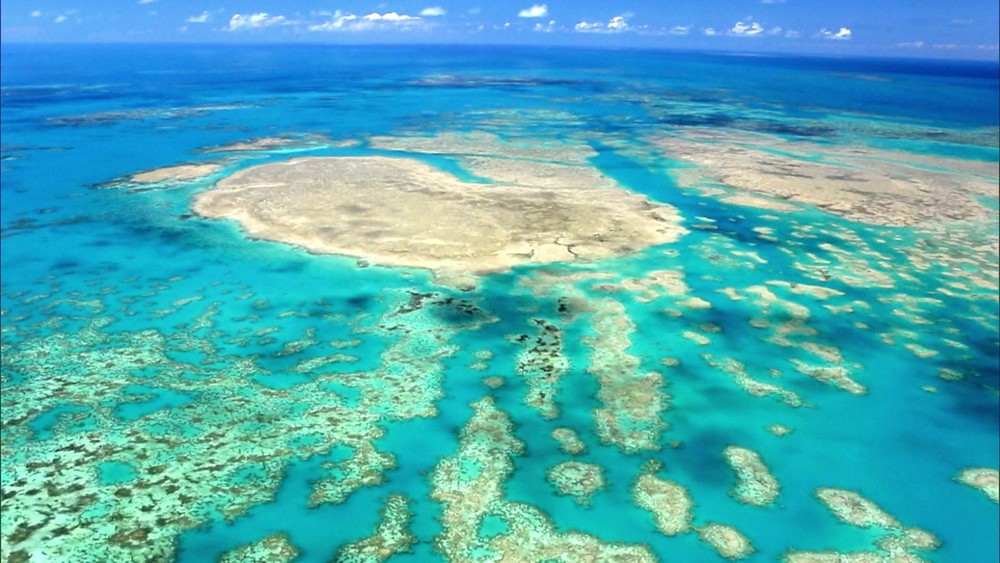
x=402, y=212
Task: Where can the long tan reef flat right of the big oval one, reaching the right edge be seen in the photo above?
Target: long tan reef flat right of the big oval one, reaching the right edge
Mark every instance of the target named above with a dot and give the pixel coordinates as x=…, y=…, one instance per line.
x=862, y=184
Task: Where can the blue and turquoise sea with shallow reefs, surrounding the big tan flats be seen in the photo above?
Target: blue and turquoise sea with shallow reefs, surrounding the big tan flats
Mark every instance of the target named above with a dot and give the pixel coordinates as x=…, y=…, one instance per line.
x=174, y=391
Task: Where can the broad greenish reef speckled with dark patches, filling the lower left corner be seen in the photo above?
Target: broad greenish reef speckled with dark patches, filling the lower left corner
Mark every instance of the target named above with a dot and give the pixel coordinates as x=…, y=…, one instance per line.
x=146, y=487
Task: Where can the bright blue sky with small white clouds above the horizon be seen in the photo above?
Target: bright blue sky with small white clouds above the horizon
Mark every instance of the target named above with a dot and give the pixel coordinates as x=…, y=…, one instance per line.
x=959, y=29
